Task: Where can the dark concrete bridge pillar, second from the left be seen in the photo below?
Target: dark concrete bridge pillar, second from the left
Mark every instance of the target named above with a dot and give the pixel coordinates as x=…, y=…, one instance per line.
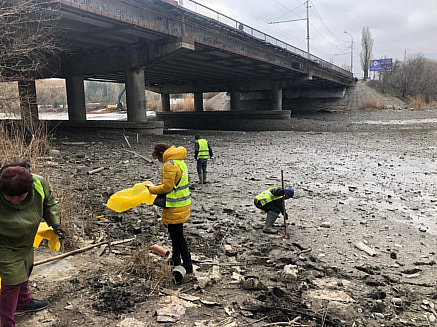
x=75, y=97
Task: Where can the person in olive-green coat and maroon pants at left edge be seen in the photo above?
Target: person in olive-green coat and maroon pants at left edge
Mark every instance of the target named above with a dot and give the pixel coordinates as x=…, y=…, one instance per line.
x=25, y=199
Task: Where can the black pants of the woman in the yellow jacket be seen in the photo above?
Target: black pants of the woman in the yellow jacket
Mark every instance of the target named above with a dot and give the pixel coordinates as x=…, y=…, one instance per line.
x=180, y=248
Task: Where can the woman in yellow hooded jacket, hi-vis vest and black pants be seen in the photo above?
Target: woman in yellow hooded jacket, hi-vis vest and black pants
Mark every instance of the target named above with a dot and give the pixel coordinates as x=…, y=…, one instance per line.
x=176, y=199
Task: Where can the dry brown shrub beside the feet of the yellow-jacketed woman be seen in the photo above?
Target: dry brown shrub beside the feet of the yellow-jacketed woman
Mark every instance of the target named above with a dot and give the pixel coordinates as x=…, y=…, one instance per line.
x=143, y=265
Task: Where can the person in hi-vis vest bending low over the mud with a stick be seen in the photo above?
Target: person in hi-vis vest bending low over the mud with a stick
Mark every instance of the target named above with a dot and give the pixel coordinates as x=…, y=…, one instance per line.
x=272, y=203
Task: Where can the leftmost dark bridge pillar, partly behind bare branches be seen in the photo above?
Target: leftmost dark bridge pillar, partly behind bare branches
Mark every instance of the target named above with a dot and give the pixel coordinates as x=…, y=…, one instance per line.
x=28, y=102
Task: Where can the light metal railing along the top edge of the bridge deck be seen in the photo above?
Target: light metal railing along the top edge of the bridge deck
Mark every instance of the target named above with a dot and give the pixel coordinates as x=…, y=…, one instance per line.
x=211, y=13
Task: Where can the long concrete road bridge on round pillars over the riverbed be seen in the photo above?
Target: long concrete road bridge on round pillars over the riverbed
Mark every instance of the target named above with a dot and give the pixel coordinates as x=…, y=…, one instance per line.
x=162, y=46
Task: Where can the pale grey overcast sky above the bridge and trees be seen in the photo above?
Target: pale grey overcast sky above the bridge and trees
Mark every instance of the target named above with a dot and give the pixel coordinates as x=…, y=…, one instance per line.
x=396, y=26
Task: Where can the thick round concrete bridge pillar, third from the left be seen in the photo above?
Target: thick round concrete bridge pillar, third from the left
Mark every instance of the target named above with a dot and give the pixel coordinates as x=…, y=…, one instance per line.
x=135, y=95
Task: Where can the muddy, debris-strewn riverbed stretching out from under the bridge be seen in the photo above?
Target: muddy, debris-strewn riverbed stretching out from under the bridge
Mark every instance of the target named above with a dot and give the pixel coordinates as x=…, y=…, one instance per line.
x=360, y=176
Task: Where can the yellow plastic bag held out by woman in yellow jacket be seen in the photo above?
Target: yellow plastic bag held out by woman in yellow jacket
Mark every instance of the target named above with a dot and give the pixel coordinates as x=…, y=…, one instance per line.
x=127, y=199
